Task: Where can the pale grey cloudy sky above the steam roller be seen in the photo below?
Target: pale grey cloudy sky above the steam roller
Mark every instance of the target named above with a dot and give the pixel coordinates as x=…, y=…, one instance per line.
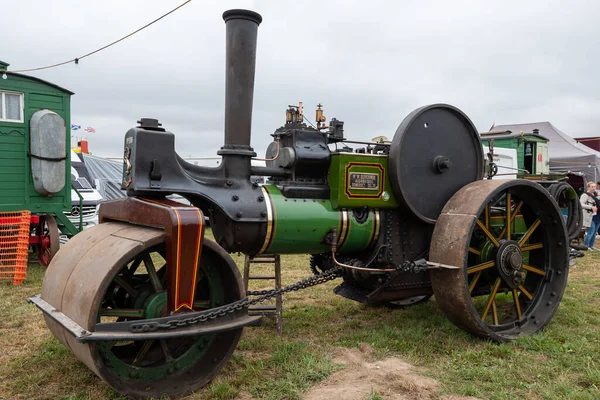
x=369, y=62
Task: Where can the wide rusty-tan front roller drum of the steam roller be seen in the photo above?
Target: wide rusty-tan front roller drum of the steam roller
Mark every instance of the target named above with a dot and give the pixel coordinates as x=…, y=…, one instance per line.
x=116, y=272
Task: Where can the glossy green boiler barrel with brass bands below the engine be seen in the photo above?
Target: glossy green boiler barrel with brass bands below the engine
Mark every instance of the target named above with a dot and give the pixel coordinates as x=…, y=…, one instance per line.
x=301, y=225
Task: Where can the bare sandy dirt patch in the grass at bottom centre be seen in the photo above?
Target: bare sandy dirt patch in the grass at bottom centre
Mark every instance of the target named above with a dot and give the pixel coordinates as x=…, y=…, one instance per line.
x=365, y=376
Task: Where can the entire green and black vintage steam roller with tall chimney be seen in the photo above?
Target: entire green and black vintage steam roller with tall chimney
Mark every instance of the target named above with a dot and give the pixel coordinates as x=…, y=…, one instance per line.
x=154, y=308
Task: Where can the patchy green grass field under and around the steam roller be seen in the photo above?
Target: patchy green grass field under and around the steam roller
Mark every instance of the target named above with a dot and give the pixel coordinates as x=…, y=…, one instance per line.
x=563, y=362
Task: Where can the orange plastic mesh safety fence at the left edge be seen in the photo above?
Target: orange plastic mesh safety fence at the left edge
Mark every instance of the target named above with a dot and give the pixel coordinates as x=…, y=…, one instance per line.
x=14, y=244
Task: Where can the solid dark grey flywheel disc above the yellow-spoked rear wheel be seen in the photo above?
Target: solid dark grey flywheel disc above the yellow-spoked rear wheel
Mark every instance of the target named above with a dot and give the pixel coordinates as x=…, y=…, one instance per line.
x=436, y=150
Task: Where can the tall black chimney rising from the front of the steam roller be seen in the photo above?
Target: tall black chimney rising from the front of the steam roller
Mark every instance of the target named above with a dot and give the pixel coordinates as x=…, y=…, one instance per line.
x=241, y=31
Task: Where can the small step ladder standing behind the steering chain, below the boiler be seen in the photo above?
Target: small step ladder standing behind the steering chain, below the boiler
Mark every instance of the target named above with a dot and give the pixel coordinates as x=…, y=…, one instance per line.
x=265, y=310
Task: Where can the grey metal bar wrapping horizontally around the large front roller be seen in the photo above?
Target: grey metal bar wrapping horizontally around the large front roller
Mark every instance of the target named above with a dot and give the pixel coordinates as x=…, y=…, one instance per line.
x=176, y=325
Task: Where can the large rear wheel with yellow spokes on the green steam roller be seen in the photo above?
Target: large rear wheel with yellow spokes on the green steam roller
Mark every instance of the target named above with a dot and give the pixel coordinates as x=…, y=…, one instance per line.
x=510, y=242
